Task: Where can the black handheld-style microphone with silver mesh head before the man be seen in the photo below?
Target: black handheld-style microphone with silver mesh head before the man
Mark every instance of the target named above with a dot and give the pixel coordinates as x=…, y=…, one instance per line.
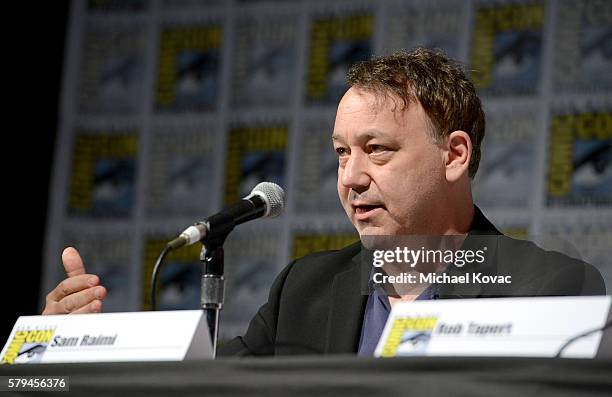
x=267, y=199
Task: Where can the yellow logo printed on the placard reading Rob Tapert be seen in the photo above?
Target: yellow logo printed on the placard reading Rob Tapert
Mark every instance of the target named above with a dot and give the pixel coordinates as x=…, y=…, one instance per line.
x=409, y=336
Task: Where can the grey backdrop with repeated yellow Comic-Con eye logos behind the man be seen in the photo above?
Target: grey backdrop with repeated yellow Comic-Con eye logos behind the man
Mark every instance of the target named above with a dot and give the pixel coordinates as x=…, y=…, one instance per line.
x=171, y=109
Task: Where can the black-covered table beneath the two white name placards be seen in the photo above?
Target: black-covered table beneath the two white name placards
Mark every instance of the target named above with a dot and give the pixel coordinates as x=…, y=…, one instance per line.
x=333, y=376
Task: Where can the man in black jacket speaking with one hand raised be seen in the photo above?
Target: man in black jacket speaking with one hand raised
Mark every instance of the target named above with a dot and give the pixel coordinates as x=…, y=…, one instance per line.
x=407, y=134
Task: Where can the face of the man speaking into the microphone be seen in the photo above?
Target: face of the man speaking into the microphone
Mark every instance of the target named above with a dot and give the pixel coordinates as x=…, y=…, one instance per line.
x=390, y=173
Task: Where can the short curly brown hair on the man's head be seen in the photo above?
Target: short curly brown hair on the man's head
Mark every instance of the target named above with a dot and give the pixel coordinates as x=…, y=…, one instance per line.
x=437, y=82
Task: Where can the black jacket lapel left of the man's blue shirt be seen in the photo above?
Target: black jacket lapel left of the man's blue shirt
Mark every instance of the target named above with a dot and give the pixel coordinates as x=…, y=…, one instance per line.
x=349, y=297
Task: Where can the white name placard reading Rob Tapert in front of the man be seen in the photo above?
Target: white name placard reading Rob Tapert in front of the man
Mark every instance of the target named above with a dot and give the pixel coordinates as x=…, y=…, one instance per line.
x=528, y=327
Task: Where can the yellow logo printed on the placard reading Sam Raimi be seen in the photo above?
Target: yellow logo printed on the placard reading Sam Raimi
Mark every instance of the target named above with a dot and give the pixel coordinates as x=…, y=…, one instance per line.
x=28, y=346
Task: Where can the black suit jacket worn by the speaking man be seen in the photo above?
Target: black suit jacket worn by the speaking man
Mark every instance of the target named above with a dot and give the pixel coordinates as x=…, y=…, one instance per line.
x=316, y=304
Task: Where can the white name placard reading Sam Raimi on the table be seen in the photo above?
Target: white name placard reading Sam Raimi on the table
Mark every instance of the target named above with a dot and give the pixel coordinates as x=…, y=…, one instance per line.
x=139, y=336
